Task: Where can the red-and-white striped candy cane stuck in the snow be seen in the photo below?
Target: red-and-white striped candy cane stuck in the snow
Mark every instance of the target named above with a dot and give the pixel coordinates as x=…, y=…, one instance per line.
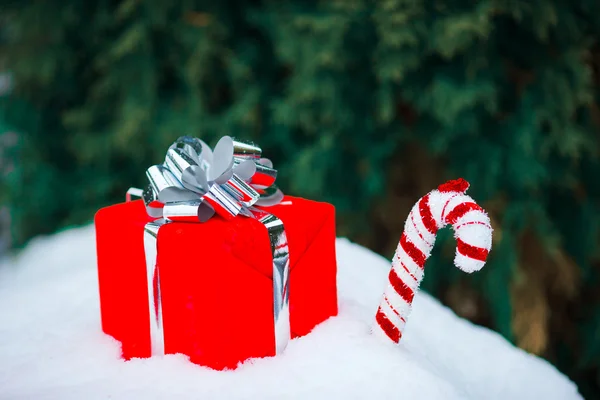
x=447, y=205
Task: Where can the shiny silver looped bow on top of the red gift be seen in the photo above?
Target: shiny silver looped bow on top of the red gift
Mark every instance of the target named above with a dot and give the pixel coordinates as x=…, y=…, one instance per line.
x=195, y=182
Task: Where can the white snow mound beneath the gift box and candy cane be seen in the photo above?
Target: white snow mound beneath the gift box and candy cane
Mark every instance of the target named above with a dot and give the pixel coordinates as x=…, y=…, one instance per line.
x=52, y=347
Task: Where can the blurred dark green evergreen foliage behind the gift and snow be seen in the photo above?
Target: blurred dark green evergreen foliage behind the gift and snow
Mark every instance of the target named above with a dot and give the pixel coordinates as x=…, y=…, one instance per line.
x=365, y=104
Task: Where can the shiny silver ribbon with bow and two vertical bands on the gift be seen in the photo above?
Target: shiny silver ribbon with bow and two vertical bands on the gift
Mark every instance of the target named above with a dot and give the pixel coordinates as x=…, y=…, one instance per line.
x=195, y=183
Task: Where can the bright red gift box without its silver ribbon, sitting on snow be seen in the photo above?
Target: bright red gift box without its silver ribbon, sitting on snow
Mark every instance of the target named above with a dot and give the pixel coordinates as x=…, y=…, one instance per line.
x=216, y=281
